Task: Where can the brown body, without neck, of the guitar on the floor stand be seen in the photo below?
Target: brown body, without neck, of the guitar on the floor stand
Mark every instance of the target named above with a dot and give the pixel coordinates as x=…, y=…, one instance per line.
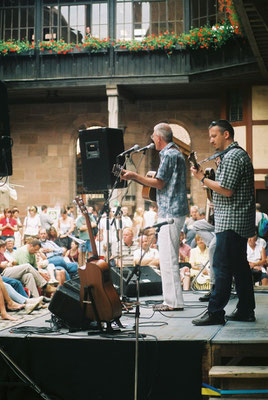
x=96, y=276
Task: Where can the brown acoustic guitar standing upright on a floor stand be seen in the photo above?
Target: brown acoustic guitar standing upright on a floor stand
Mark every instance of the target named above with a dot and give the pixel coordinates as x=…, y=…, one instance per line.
x=98, y=296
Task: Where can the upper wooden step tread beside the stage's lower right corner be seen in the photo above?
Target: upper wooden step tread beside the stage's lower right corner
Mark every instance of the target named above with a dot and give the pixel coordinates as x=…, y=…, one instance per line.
x=233, y=371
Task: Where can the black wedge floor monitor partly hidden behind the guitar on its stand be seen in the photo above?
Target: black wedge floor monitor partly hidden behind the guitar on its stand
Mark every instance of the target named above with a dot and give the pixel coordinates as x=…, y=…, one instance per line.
x=65, y=304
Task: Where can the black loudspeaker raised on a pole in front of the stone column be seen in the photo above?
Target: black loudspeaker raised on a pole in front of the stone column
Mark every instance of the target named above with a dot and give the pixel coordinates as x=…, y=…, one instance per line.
x=99, y=149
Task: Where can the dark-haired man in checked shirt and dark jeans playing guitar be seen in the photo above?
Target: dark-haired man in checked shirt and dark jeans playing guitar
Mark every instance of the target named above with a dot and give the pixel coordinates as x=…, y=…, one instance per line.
x=234, y=212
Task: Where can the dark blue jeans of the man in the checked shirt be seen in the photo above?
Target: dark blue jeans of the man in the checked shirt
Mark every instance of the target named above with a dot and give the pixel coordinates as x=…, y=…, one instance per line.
x=230, y=260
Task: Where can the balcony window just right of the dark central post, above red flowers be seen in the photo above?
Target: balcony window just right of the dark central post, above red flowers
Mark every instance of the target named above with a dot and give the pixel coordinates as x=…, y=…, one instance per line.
x=137, y=19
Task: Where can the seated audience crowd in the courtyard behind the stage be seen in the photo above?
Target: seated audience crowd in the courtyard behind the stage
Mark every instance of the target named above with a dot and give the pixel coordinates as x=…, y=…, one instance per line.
x=39, y=253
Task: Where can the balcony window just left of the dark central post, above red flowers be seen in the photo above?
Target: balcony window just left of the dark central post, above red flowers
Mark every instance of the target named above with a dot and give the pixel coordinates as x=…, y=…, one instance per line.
x=72, y=22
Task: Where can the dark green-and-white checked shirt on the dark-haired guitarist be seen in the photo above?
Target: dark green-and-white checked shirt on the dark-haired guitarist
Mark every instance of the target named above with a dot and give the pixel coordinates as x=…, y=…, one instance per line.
x=237, y=213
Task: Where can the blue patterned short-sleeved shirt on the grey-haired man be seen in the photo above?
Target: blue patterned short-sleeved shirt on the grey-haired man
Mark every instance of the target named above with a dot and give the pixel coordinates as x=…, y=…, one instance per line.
x=172, y=199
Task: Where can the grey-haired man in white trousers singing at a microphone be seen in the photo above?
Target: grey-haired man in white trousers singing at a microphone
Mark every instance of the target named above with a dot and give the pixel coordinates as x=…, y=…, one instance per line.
x=170, y=184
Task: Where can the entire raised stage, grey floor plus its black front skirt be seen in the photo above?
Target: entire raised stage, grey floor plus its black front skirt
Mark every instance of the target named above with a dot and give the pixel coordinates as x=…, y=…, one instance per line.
x=174, y=356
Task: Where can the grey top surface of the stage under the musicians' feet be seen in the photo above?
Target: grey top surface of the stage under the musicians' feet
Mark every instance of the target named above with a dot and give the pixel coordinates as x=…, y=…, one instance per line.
x=175, y=325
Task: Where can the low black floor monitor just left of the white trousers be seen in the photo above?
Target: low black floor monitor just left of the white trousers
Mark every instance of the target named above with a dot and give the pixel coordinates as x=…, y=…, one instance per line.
x=150, y=281
